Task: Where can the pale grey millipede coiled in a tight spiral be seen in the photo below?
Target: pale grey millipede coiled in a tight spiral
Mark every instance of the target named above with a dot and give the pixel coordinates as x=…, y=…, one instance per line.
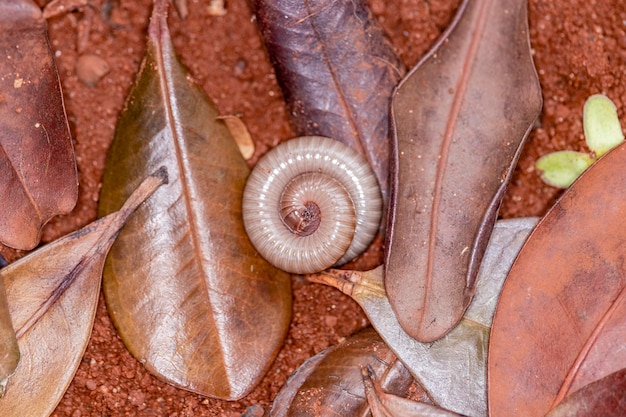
x=311, y=203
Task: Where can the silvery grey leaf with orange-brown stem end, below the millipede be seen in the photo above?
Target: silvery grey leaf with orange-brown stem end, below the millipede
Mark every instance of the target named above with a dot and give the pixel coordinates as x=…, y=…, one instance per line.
x=452, y=369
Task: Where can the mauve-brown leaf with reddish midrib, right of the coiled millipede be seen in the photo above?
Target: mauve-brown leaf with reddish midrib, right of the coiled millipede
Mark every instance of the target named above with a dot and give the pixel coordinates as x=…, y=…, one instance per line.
x=460, y=118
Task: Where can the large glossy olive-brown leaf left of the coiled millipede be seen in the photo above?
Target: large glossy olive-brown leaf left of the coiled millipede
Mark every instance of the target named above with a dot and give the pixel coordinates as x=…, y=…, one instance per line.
x=187, y=292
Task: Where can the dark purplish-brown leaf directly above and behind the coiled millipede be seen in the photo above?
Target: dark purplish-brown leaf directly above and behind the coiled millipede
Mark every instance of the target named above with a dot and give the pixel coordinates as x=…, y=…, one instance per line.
x=336, y=70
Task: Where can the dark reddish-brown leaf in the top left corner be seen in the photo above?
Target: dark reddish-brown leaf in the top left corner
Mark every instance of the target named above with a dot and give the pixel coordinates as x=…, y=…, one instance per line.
x=37, y=163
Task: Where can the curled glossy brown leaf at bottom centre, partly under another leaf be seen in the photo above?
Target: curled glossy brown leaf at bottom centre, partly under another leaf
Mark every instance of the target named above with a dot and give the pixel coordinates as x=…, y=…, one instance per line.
x=331, y=384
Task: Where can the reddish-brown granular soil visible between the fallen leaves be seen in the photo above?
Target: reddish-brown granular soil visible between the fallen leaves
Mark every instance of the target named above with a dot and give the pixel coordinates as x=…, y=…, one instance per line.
x=579, y=49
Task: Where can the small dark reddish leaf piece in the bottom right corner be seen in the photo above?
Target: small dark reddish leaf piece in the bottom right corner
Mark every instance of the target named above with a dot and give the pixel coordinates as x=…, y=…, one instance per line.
x=605, y=397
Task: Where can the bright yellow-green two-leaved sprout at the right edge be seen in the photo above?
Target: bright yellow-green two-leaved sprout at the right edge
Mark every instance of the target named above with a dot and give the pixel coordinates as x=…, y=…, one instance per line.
x=603, y=132
